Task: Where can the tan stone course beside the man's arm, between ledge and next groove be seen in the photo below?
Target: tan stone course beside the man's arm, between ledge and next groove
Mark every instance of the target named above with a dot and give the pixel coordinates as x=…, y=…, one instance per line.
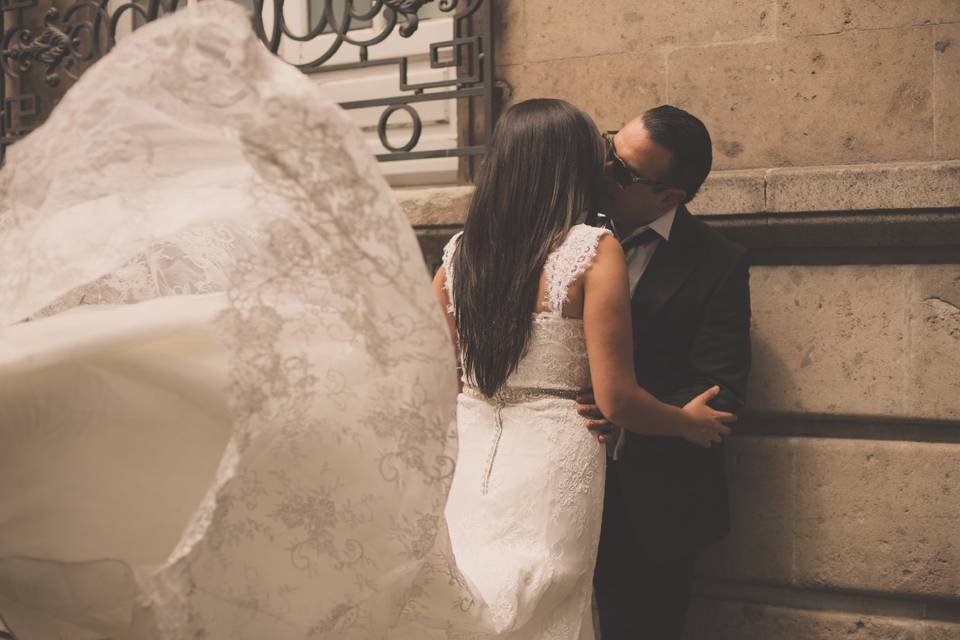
x=857, y=340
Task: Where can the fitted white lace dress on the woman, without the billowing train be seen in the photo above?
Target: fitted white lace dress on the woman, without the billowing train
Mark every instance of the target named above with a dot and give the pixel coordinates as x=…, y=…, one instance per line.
x=526, y=502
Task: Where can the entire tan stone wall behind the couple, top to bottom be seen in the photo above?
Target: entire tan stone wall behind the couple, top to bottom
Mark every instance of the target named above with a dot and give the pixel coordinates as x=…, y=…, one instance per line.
x=836, y=127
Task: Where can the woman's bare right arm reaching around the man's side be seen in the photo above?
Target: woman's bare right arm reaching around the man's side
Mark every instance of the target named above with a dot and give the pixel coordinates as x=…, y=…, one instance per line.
x=609, y=335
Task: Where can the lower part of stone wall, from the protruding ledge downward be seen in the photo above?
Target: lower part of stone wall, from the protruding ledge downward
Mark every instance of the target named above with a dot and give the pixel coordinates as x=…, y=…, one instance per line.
x=845, y=471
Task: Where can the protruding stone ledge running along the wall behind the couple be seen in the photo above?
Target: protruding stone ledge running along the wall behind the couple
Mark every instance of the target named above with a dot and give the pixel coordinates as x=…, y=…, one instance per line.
x=764, y=192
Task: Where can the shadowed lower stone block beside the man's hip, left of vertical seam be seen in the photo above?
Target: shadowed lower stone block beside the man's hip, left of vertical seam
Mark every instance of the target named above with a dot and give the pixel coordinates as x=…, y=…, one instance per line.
x=760, y=544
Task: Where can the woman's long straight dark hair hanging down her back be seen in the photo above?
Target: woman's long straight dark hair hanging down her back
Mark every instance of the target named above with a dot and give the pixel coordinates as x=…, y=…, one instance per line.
x=541, y=174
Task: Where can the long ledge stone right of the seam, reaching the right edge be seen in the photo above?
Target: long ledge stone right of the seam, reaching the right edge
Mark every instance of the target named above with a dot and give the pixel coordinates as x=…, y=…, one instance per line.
x=915, y=185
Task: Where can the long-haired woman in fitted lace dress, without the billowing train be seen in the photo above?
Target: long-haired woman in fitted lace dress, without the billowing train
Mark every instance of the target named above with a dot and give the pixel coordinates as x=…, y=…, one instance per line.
x=538, y=308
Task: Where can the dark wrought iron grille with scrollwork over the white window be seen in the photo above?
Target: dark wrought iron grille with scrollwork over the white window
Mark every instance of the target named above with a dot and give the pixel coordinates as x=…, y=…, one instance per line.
x=47, y=44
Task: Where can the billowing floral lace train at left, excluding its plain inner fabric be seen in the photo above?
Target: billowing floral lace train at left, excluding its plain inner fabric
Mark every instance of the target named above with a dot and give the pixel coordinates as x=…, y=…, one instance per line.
x=190, y=164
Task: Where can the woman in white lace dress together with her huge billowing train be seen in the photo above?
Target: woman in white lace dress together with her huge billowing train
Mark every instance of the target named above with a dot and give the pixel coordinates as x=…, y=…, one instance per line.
x=226, y=392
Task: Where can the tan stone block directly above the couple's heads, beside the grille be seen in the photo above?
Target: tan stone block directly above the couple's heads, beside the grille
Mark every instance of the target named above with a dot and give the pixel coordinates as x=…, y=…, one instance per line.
x=611, y=88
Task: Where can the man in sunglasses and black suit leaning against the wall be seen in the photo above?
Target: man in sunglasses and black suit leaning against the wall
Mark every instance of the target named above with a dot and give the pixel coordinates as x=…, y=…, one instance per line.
x=665, y=498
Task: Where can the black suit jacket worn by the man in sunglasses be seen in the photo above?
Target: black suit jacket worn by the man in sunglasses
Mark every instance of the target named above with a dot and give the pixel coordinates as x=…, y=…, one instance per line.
x=691, y=330
